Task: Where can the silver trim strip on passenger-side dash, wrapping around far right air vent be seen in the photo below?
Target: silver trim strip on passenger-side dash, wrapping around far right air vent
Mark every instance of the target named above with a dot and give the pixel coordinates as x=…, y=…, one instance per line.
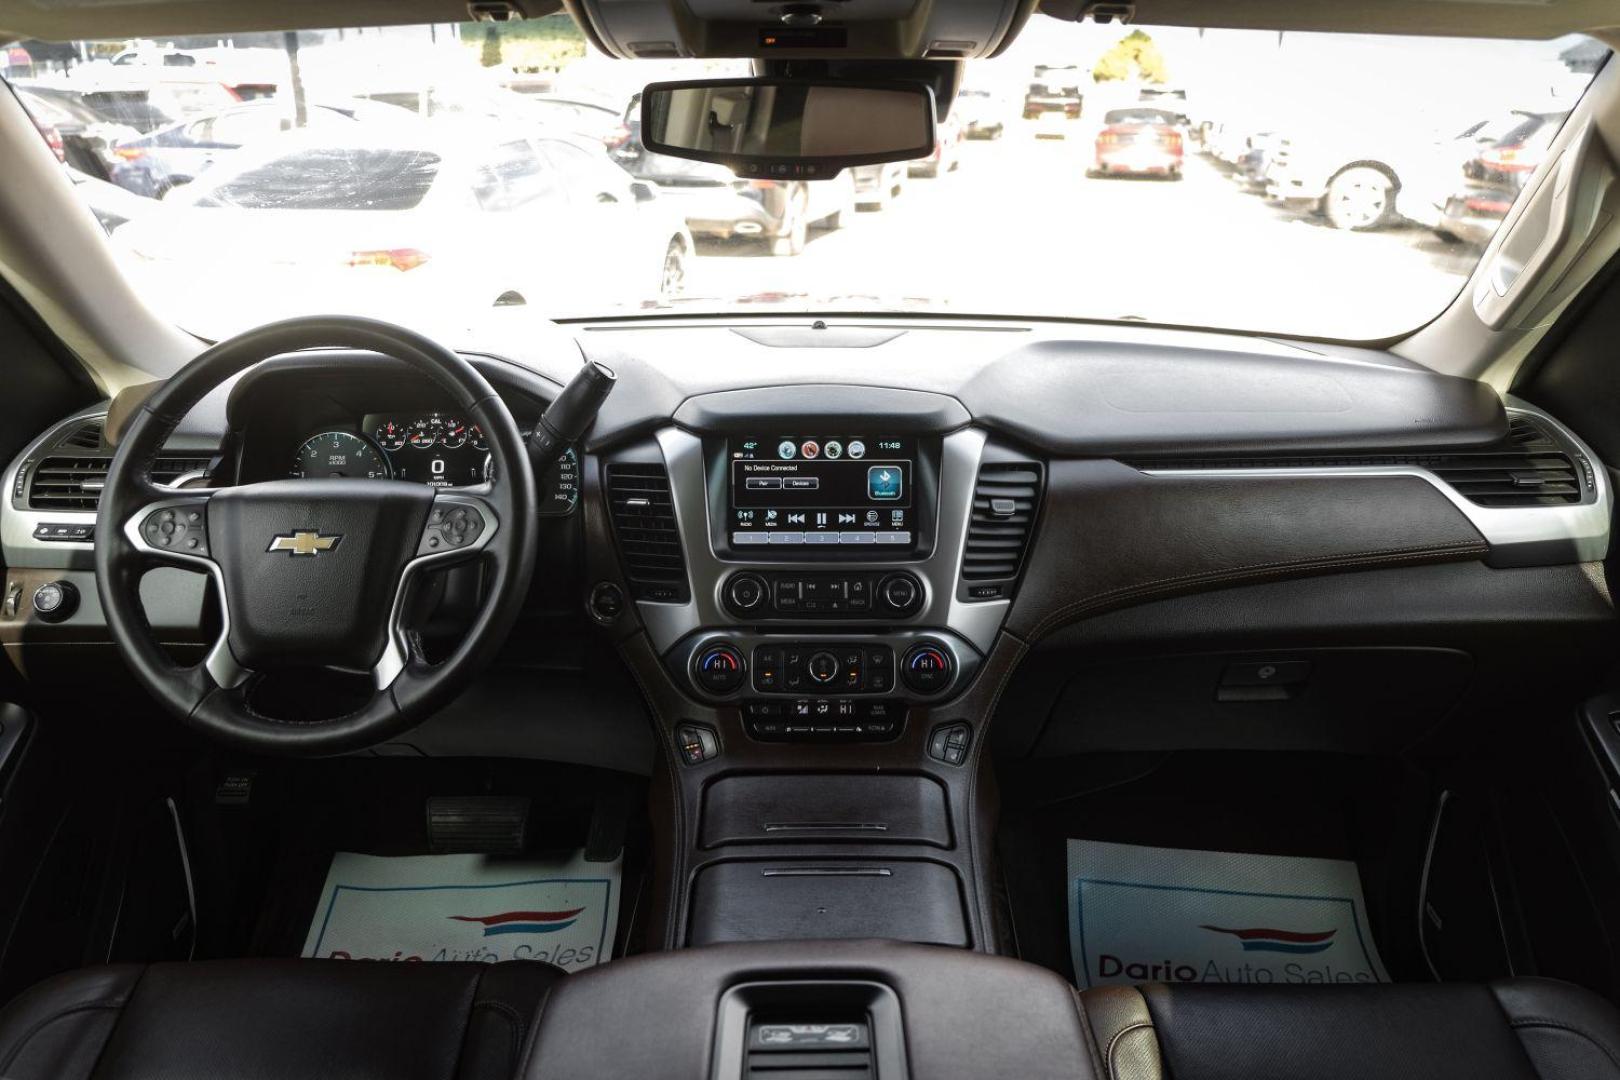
x=1519, y=537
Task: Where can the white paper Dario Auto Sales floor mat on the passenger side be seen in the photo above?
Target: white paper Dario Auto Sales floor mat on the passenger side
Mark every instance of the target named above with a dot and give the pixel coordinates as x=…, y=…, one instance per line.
x=1174, y=916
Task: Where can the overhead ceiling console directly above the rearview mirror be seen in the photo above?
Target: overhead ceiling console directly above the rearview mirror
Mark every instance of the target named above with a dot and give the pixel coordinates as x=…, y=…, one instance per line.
x=803, y=30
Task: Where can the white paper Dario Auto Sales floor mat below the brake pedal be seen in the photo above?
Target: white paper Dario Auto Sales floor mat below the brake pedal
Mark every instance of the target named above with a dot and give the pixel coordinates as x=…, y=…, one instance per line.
x=467, y=908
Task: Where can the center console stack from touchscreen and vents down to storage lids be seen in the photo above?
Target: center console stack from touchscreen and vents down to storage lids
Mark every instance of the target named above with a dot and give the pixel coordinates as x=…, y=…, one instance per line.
x=825, y=660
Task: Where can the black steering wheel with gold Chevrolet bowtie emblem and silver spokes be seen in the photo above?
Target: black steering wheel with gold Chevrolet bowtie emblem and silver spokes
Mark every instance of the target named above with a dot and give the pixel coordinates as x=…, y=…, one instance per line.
x=313, y=574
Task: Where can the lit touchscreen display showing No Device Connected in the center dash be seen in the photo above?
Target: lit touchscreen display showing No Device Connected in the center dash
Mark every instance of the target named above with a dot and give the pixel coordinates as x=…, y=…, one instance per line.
x=822, y=490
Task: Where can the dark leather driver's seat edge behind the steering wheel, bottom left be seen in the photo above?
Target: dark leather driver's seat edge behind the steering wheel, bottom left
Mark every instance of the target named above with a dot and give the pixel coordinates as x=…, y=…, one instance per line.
x=284, y=1019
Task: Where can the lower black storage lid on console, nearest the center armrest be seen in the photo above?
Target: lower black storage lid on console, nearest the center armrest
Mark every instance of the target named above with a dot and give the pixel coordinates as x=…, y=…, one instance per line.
x=829, y=899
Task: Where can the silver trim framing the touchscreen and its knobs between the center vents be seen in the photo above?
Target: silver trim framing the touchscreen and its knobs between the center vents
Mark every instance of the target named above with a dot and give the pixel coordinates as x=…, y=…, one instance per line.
x=974, y=623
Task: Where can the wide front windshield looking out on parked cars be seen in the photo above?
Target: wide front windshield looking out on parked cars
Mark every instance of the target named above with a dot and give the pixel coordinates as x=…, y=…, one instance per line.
x=1324, y=185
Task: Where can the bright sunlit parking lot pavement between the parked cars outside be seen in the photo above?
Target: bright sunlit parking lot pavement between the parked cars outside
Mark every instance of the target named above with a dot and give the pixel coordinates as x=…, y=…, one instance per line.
x=1021, y=229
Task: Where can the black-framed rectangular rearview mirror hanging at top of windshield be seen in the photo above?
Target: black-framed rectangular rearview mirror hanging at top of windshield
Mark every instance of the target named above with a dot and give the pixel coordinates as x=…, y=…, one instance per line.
x=799, y=129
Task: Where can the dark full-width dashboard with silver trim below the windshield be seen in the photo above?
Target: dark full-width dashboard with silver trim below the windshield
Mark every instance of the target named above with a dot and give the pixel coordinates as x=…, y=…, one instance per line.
x=811, y=550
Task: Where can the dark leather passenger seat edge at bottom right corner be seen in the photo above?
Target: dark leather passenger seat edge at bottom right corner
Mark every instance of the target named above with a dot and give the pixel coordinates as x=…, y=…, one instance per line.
x=1509, y=1031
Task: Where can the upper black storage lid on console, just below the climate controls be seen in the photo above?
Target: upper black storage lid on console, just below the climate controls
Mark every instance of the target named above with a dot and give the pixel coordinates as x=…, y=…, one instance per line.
x=811, y=809
